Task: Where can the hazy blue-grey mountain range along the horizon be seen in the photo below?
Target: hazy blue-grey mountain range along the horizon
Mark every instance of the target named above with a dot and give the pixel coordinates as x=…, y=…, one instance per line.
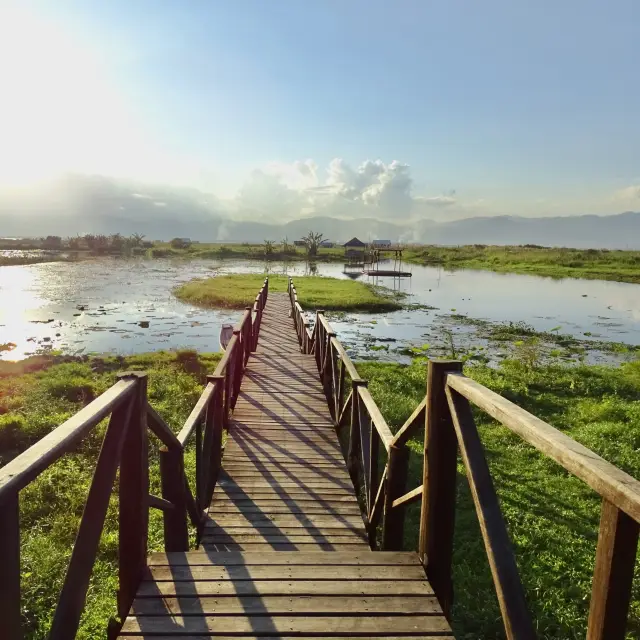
x=621, y=231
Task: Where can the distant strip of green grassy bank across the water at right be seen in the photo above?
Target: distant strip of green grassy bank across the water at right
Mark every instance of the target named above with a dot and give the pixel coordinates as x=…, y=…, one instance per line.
x=593, y=264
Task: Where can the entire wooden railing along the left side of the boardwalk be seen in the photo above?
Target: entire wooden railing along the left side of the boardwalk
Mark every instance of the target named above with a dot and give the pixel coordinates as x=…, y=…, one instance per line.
x=125, y=448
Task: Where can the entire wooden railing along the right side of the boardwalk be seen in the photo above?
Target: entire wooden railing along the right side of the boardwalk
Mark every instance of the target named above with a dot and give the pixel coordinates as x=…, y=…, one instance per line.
x=449, y=427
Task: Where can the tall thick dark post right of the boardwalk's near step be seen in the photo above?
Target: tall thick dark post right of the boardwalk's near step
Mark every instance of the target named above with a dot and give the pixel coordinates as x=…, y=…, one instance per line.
x=437, y=516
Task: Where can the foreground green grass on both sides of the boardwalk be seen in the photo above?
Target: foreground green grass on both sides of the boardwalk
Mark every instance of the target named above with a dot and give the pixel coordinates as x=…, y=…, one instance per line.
x=552, y=517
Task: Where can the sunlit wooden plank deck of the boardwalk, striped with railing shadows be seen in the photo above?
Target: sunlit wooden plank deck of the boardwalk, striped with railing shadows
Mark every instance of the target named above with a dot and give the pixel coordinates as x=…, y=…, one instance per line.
x=284, y=552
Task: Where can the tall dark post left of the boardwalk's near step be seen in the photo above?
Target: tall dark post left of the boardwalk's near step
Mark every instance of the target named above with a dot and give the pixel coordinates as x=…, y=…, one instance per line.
x=134, y=492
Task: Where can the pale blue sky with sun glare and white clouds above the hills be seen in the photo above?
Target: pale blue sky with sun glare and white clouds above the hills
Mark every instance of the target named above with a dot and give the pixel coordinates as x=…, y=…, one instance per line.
x=408, y=109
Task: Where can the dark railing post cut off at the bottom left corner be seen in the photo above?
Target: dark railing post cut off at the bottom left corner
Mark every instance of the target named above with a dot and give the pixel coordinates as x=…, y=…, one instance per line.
x=10, y=568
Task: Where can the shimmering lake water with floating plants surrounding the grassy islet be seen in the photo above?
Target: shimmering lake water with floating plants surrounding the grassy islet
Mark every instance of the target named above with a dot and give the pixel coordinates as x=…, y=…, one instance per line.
x=99, y=305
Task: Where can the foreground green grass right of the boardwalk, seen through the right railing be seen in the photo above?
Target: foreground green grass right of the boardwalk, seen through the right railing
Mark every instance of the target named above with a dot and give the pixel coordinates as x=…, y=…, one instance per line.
x=552, y=517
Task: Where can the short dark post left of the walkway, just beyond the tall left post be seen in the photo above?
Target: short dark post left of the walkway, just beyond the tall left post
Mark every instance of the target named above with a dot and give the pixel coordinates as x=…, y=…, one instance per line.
x=176, y=533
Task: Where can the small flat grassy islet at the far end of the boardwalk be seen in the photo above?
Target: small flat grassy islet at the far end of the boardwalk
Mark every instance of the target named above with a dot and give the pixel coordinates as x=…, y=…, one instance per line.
x=237, y=291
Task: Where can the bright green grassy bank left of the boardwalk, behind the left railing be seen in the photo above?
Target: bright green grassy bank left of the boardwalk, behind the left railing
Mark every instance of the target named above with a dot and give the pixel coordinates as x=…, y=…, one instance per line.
x=37, y=396
